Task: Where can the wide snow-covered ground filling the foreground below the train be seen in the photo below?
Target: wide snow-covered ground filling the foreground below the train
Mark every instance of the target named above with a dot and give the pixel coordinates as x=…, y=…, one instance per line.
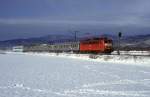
x=64, y=75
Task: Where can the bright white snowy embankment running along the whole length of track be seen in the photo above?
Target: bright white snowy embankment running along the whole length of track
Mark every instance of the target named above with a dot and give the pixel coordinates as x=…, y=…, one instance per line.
x=124, y=58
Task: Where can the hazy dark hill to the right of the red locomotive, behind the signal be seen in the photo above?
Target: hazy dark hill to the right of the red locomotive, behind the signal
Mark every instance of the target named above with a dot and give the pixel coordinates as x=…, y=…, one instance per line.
x=138, y=42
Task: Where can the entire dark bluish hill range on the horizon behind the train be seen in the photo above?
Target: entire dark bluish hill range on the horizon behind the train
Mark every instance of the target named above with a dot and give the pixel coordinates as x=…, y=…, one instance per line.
x=138, y=42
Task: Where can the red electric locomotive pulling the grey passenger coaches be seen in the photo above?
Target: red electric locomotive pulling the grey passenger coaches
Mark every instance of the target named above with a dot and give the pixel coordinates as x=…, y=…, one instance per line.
x=96, y=45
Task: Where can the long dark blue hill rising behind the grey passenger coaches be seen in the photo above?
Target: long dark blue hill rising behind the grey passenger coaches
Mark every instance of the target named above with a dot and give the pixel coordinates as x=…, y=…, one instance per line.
x=35, y=41
